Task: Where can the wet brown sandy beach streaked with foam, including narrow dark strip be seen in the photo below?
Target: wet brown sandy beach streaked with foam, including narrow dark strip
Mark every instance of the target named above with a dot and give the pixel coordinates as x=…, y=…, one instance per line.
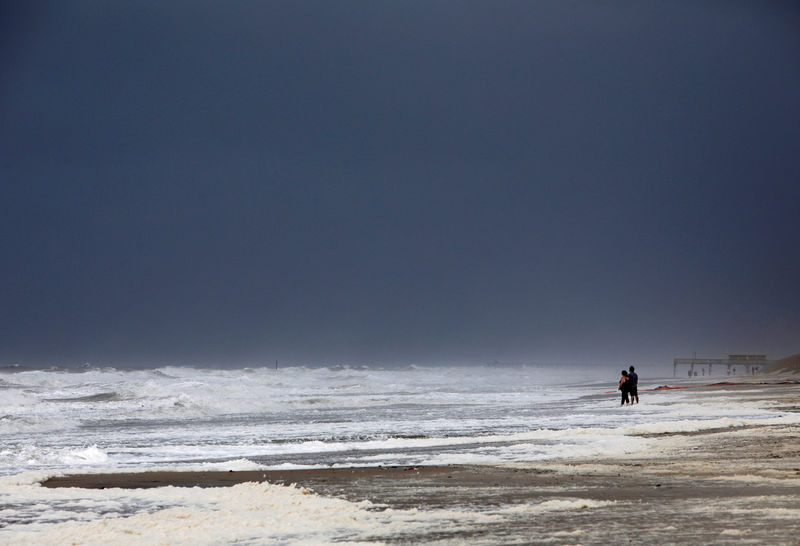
x=735, y=485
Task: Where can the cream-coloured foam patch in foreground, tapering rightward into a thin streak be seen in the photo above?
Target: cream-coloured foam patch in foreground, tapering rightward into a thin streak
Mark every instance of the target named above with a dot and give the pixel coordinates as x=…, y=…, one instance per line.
x=259, y=512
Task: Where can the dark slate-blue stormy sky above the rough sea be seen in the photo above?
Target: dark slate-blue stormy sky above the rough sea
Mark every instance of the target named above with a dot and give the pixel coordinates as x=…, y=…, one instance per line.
x=398, y=182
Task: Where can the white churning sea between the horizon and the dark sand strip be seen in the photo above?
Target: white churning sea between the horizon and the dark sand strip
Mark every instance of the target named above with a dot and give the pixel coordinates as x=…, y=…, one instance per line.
x=343, y=416
